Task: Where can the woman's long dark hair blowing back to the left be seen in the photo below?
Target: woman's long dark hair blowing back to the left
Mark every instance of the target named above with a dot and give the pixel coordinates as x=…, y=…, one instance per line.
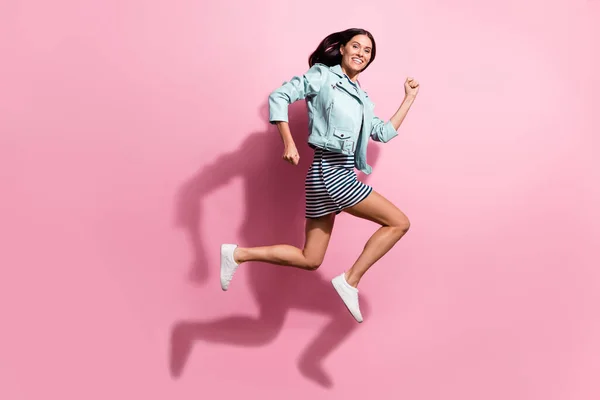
x=328, y=51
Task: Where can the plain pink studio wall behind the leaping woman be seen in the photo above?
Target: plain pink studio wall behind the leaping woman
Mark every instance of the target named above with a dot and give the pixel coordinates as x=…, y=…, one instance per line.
x=134, y=141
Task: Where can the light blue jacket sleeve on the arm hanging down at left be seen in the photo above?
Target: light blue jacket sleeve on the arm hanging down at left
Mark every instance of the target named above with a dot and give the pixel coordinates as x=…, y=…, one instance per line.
x=298, y=88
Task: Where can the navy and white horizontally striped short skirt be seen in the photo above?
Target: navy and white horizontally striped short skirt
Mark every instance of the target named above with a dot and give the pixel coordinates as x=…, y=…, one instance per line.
x=331, y=184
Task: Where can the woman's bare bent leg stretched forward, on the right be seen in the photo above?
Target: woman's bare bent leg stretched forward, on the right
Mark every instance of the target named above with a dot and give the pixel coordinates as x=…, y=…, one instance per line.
x=394, y=224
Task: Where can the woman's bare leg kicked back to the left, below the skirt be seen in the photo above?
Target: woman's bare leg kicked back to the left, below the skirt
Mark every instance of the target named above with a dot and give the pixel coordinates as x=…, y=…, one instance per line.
x=318, y=233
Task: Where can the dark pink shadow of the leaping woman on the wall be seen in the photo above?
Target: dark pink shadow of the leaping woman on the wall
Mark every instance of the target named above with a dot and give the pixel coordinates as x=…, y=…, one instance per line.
x=274, y=196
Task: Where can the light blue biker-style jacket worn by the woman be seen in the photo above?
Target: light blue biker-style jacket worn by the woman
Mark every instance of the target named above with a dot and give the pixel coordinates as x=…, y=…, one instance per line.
x=329, y=96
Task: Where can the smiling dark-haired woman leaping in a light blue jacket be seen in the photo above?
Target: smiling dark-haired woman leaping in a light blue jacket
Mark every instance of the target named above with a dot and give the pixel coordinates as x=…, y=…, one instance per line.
x=341, y=122
